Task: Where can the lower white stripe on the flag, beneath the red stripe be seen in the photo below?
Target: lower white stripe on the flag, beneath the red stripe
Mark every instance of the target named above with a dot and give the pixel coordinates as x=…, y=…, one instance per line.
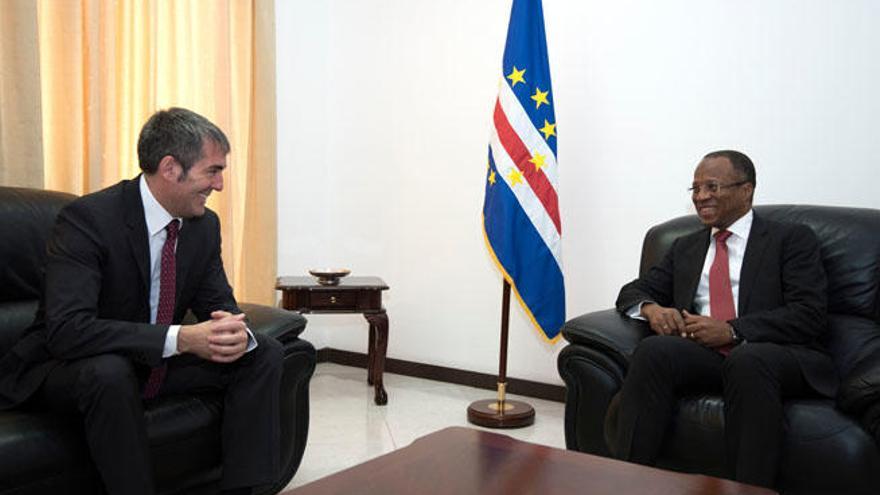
x=527, y=199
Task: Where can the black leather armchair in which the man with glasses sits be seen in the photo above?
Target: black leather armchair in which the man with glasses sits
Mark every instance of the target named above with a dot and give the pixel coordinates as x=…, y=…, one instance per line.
x=826, y=449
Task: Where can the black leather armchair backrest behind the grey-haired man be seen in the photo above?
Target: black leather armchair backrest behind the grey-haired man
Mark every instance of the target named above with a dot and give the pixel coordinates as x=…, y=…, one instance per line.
x=26, y=220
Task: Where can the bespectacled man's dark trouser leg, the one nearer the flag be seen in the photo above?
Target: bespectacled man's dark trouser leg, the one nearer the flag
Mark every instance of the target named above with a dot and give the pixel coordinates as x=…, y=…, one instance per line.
x=662, y=369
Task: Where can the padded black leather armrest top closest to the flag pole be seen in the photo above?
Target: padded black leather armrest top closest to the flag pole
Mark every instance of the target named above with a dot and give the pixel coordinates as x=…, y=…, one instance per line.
x=608, y=332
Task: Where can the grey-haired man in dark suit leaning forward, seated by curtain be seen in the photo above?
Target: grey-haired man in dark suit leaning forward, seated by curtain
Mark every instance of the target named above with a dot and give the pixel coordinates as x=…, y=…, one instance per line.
x=124, y=266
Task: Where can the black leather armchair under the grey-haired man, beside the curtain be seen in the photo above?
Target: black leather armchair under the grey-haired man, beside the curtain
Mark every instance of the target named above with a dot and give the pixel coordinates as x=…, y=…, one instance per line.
x=45, y=453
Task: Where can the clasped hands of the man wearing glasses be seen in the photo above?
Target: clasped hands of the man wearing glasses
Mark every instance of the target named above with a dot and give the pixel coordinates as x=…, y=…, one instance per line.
x=701, y=329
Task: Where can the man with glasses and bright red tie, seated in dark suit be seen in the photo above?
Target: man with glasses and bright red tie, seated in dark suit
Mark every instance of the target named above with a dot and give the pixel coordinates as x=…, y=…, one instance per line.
x=738, y=307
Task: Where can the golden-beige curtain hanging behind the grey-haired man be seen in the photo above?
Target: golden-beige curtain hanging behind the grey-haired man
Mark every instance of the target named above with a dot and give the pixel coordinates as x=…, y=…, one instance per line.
x=106, y=65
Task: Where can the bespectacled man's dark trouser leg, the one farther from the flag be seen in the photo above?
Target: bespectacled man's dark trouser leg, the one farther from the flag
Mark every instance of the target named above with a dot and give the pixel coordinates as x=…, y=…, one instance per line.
x=757, y=377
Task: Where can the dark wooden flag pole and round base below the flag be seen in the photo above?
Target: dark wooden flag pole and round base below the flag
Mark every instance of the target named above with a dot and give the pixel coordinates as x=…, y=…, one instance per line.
x=500, y=412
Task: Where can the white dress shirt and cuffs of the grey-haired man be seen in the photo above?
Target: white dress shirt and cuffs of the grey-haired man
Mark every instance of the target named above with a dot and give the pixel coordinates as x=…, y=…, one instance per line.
x=157, y=219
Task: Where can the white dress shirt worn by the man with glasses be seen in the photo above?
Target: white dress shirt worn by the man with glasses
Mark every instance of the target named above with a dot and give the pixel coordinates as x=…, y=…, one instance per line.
x=736, y=250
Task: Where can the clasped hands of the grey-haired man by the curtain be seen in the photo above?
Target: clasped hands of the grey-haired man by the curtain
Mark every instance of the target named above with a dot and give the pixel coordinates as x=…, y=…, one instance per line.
x=222, y=339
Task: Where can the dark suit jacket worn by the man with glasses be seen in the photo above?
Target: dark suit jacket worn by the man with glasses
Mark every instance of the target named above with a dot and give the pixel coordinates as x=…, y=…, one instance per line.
x=782, y=291
